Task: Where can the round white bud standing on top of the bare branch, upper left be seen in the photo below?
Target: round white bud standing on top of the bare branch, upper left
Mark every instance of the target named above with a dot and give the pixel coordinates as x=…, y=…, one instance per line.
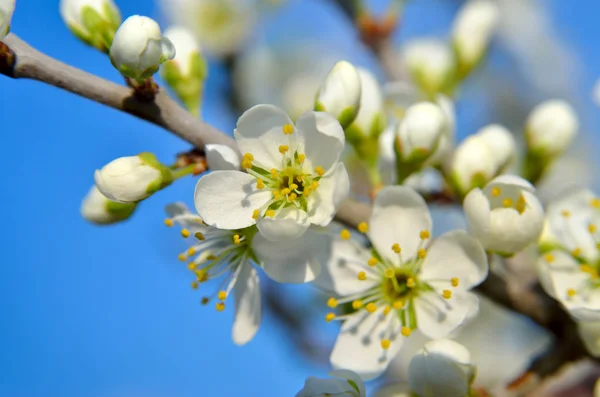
x=139, y=48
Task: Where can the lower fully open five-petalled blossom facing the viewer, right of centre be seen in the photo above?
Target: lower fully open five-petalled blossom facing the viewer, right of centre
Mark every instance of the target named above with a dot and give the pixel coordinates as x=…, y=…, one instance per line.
x=405, y=283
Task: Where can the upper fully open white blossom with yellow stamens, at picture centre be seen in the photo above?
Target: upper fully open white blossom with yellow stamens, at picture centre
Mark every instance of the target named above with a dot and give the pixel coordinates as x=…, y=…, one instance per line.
x=293, y=175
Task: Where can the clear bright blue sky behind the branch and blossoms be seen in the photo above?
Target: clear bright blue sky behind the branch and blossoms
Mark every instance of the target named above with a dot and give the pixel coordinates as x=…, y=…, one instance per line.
x=108, y=312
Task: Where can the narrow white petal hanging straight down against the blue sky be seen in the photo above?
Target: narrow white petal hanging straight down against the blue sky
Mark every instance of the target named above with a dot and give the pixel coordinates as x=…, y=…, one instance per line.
x=247, y=305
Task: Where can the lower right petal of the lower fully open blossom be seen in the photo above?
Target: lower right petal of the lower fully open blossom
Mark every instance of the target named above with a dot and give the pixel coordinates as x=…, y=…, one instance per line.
x=437, y=317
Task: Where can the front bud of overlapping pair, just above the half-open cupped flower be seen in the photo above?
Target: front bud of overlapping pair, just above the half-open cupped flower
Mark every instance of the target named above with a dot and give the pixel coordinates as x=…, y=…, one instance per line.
x=472, y=164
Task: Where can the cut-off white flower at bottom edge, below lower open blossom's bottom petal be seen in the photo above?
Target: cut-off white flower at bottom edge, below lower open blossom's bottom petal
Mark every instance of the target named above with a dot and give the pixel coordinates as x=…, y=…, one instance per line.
x=343, y=383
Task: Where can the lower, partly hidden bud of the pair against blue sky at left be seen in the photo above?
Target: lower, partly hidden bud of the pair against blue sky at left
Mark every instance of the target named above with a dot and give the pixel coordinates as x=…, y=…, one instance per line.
x=98, y=209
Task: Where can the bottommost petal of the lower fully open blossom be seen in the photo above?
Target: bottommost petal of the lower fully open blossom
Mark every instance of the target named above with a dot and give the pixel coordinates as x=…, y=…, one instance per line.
x=358, y=346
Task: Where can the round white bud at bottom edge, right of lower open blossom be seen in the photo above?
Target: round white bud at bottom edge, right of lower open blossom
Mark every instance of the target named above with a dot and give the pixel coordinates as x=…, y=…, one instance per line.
x=442, y=368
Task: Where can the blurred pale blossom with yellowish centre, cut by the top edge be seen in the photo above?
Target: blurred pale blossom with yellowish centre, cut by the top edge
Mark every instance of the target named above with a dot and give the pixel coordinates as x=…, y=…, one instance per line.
x=221, y=27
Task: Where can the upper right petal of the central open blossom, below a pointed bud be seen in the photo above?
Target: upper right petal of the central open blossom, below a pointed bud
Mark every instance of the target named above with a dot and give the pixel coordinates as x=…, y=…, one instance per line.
x=324, y=138
